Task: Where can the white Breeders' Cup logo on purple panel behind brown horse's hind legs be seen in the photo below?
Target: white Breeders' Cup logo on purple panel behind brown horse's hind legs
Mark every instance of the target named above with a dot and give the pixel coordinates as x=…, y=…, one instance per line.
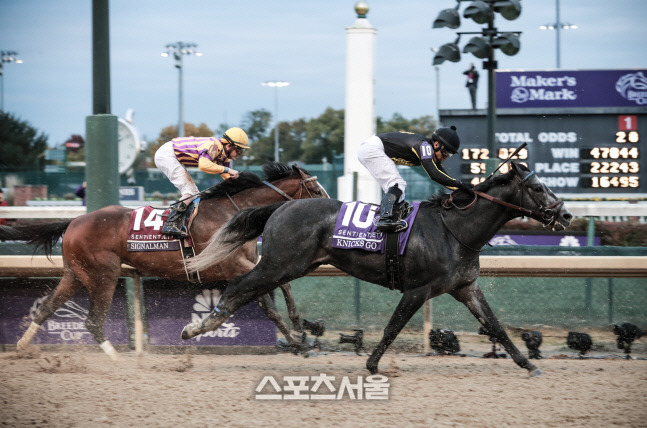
x=68, y=322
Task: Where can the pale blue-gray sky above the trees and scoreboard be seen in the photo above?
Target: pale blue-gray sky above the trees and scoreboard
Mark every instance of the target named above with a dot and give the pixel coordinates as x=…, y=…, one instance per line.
x=246, y=42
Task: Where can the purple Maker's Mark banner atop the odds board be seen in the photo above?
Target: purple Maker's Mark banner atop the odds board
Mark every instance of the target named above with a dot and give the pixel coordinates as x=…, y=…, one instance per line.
x=571, y=88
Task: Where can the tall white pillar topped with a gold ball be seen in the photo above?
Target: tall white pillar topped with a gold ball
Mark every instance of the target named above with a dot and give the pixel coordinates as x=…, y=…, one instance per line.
x=359, y=122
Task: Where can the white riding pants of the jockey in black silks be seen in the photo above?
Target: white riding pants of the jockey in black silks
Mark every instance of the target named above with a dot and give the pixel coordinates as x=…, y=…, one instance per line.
x=382, y=168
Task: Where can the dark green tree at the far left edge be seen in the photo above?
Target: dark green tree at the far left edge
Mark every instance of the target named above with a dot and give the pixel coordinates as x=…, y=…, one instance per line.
x=20, y=146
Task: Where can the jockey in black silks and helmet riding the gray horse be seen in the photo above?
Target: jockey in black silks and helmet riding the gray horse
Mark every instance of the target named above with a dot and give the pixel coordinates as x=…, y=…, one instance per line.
x=381, y=153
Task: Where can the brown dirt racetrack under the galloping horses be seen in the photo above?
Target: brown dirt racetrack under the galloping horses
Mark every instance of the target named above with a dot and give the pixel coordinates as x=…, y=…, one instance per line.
x=62, y=389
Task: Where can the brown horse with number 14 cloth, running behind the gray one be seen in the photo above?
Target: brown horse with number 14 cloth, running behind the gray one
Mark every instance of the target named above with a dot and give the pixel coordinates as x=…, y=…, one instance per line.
x=94, y=247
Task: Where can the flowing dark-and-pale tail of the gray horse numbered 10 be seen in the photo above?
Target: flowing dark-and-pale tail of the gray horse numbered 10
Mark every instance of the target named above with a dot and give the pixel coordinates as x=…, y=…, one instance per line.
x=246, y=225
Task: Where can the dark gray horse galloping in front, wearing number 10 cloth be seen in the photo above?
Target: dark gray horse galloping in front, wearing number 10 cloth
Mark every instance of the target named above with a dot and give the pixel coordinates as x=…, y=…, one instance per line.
x=442, y=255
